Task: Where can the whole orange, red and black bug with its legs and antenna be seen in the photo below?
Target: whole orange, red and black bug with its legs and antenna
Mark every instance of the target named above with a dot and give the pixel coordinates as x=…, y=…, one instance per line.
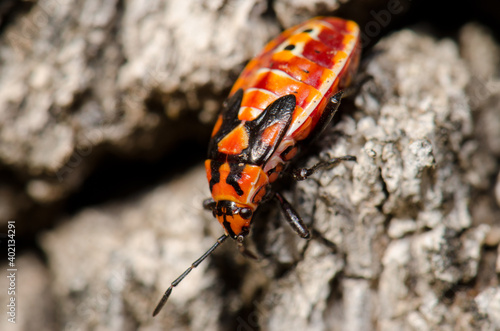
x=283, y=98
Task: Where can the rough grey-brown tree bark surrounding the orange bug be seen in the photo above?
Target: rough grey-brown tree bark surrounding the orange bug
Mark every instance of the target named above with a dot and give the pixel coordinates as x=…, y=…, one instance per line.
x=414, y=222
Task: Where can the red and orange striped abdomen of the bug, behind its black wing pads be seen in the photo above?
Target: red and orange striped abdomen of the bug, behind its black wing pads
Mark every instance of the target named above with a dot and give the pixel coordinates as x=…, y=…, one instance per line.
x=312, y=61
